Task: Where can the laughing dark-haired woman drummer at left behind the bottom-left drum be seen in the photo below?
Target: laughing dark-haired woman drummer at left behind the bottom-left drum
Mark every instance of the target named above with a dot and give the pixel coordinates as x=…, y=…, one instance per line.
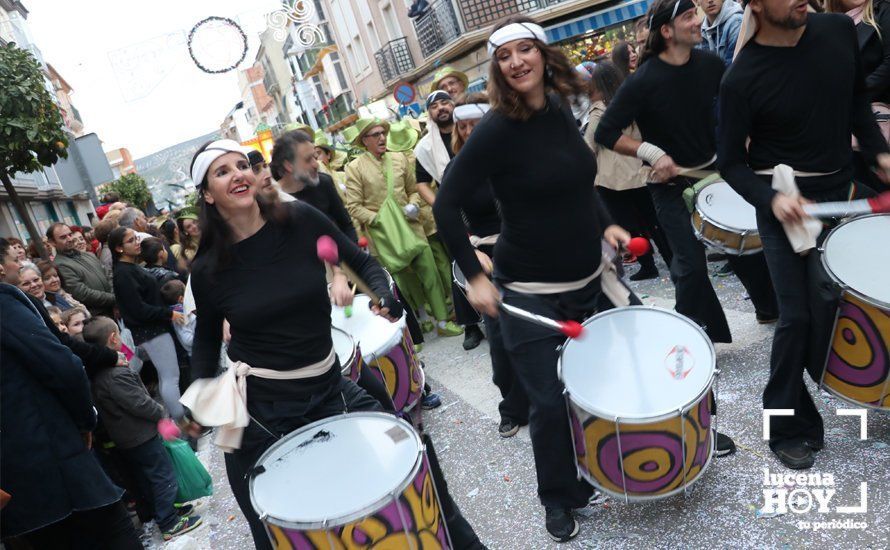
x=257, y=267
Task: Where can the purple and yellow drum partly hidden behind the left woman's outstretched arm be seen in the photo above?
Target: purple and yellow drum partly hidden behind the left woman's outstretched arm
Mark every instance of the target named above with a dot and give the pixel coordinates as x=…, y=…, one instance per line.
x=387, y=347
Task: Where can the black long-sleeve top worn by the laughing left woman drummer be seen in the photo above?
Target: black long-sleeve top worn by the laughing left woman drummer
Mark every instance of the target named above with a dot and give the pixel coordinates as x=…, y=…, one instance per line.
x=274, y=295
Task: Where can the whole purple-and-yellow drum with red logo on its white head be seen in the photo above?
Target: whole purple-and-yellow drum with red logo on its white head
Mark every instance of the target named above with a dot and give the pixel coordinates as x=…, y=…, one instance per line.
x=639, y=387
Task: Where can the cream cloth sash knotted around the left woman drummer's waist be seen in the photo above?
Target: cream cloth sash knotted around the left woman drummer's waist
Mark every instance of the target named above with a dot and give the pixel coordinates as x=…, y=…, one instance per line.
x=222, y=401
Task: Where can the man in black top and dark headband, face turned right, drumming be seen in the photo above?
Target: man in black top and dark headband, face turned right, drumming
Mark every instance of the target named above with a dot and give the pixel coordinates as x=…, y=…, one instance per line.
x=672, y=98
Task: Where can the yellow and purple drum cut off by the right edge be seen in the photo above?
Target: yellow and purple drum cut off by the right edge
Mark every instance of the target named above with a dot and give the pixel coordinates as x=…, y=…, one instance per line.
x=858, y=365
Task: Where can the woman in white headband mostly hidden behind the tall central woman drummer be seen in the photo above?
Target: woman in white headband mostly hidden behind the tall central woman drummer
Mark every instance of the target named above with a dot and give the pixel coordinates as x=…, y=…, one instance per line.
x=483, y=223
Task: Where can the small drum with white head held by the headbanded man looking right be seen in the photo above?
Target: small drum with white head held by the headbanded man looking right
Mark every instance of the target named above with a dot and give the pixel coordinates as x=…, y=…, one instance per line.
x=726, y=221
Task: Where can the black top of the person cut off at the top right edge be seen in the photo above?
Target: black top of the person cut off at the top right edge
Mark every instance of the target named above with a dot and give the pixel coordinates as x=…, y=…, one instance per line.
x=875, y=51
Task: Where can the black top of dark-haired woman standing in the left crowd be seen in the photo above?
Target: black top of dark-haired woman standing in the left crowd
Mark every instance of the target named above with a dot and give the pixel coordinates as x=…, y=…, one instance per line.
x=138, y=297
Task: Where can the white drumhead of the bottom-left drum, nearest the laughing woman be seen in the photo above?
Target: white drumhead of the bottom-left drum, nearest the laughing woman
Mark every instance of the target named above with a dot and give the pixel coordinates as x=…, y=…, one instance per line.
x=334, y=468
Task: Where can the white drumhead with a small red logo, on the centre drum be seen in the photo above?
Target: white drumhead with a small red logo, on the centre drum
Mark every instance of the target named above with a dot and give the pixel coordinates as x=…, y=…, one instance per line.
x=625, y=363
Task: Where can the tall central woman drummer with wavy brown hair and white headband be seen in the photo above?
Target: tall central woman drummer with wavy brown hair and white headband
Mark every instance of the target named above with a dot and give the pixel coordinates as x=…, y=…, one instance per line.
x=548, y=257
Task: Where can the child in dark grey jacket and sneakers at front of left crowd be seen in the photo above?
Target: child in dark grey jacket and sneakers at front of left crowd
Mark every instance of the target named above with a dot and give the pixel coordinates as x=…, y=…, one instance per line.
x=131, y=418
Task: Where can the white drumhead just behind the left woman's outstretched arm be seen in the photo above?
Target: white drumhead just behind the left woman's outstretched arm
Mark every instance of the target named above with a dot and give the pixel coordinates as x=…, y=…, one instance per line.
x=375, y=335
